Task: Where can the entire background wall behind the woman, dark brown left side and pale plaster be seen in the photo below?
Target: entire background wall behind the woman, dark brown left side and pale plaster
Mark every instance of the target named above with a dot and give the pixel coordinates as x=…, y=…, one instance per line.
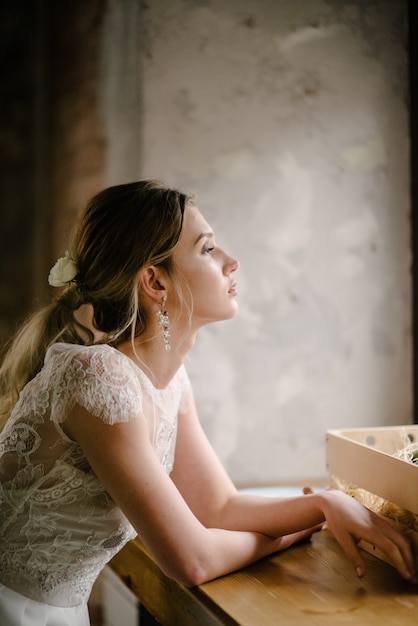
x=289, y=118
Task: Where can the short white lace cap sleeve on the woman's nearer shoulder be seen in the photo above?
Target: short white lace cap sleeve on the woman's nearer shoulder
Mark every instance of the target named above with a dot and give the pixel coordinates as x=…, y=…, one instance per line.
x=97, y=378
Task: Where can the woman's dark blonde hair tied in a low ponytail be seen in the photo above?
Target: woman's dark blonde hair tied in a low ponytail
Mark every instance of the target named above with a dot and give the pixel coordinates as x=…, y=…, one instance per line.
x=123, y=229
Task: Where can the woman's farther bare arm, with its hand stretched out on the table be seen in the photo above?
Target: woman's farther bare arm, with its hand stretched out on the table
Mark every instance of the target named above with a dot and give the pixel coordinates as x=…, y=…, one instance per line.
x=209, y=492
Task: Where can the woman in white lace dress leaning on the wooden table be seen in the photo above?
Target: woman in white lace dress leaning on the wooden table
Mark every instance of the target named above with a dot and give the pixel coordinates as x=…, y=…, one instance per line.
x=103, y=441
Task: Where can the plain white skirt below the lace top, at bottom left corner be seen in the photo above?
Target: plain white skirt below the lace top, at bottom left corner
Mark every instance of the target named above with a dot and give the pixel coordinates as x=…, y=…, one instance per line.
x=17, y=610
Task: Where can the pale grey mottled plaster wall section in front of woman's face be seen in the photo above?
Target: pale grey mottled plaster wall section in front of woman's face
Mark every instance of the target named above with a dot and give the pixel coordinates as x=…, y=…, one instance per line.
x=289, y=119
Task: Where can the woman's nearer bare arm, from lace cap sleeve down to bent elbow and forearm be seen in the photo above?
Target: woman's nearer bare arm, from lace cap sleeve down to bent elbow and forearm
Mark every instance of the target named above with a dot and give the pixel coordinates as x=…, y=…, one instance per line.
x=124, y=460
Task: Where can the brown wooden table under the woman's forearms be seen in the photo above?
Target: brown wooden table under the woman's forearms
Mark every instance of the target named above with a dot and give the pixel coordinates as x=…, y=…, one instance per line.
x=310, y=583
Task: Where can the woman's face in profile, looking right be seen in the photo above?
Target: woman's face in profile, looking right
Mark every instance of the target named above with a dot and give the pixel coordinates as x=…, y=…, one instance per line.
x=207, y=269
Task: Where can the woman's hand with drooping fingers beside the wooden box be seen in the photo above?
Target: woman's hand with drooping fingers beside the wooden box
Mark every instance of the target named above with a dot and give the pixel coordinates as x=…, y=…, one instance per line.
x=349, y=522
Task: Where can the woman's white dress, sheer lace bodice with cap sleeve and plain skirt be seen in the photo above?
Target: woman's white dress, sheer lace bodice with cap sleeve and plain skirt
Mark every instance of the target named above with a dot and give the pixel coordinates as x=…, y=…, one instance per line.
x=58, y=525
